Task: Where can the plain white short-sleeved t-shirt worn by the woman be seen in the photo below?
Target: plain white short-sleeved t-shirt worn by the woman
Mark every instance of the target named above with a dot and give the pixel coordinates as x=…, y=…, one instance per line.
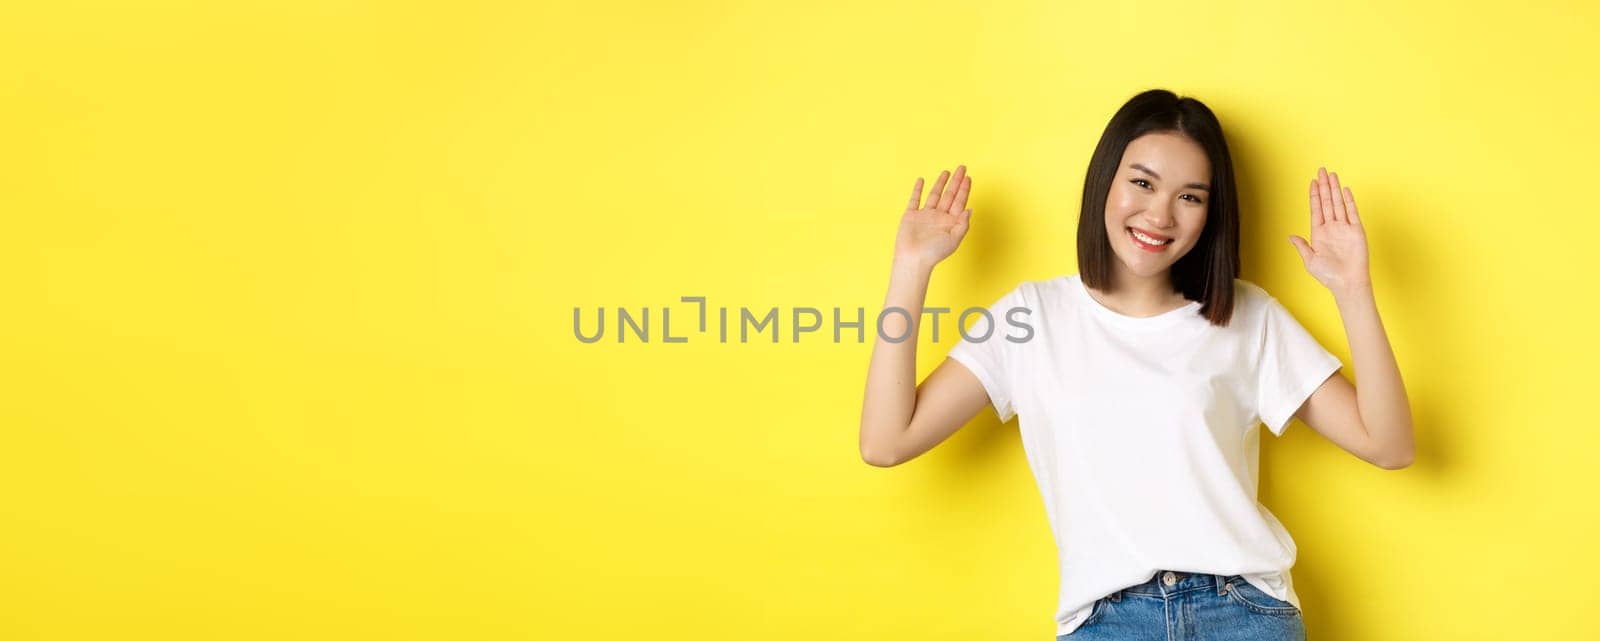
x=1145, y=432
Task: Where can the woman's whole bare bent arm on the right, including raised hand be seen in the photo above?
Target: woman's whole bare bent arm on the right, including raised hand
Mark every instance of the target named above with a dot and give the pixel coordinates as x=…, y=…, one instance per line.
x=1374, y=421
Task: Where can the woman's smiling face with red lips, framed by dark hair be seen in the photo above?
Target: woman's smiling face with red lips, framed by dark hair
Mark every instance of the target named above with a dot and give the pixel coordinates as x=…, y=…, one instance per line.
x=1162, y=191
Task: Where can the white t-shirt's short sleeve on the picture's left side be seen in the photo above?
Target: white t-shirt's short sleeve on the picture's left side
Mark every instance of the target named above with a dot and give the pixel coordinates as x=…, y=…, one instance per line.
x=990, y=348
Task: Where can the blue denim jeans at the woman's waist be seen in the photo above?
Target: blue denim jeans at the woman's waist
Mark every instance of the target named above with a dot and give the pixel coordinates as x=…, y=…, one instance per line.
x=1193, y=608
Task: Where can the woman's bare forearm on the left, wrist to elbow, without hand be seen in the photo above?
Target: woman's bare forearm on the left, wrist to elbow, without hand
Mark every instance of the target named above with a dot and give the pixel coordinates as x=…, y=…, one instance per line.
x=892, y=373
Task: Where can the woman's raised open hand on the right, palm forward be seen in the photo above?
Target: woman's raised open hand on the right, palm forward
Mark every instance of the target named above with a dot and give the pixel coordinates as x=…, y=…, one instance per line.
x=1337, y=253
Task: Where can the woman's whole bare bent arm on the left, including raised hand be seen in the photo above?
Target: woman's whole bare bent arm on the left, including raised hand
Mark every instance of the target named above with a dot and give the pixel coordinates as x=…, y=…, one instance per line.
x=900, y=420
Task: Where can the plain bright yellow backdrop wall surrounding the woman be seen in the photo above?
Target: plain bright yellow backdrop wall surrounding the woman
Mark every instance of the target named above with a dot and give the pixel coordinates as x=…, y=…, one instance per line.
x=289, y=295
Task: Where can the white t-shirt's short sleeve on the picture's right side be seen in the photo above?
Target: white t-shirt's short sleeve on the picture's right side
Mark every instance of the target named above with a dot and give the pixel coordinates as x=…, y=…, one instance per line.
x=1290, y=368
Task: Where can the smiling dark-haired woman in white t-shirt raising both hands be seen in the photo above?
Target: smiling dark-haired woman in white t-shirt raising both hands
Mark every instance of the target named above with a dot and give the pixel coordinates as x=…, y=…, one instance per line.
x=1143, y=380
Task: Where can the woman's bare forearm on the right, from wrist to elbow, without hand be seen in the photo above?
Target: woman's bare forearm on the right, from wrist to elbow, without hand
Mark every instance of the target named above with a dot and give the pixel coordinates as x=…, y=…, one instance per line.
x=1380, y=394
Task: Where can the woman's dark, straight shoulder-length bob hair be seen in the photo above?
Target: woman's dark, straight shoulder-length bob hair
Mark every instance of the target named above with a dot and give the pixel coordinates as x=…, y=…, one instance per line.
x=1207, y=273
